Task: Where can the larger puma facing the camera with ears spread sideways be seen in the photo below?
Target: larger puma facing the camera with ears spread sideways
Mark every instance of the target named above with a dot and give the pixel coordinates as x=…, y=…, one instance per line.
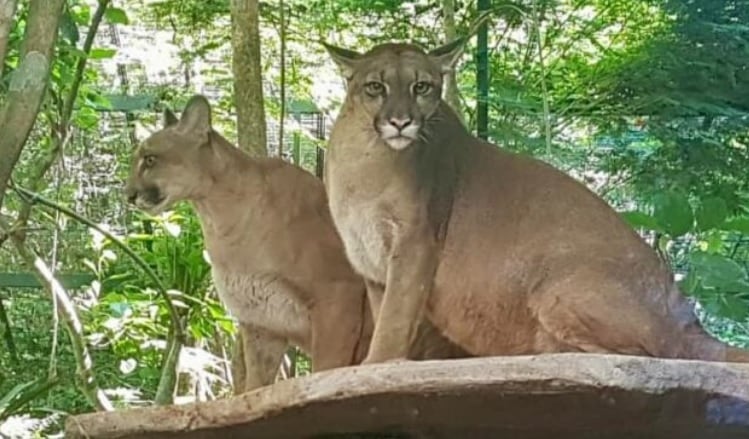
x=503, y=253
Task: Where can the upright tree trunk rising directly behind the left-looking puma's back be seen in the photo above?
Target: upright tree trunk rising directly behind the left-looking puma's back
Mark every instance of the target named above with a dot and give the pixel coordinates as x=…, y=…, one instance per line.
x=248, y=88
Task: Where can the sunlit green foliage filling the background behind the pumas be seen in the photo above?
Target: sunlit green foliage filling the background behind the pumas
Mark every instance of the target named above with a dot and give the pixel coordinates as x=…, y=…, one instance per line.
x=646, y=106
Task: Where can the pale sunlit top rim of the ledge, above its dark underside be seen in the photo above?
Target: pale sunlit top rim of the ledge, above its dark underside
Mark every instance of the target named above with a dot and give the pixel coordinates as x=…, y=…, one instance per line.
x=542, y=374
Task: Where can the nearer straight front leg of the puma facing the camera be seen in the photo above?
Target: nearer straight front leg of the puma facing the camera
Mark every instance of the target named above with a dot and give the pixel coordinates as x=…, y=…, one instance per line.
x=410, y=275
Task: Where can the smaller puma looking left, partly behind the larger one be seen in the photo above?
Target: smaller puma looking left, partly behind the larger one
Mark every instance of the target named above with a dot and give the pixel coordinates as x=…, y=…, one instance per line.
x=277, y=261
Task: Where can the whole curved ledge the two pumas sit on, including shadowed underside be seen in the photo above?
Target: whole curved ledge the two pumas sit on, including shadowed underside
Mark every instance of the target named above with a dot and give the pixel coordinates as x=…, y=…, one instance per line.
x=556, y=396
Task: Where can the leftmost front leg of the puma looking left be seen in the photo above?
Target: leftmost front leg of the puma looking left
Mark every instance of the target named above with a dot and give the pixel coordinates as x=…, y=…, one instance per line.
x=261, y=357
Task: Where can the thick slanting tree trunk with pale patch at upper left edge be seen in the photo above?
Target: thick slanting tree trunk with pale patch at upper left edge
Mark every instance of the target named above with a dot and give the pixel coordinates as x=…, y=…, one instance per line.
x=28, y=84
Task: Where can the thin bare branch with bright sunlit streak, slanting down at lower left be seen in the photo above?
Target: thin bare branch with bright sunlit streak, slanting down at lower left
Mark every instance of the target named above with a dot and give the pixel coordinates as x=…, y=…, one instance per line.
x=69, y=316
